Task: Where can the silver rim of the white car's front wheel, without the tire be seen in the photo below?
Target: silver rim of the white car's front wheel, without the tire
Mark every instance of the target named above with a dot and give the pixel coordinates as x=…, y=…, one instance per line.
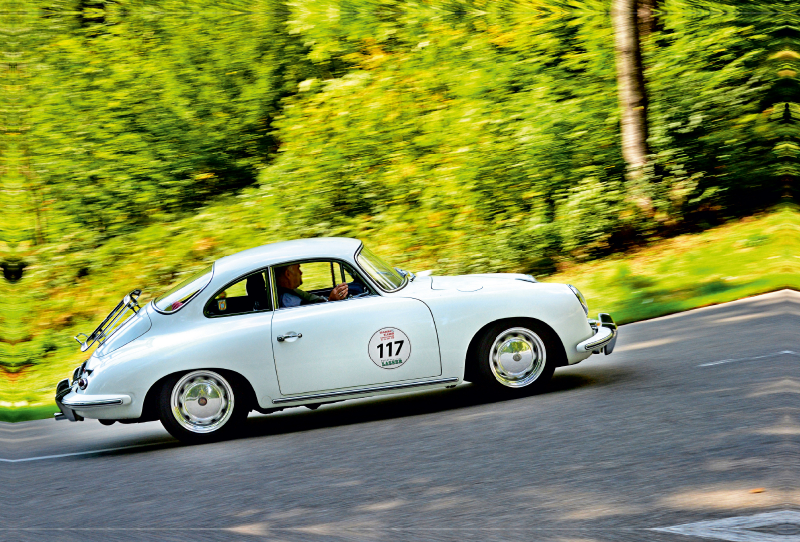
x=517, y=357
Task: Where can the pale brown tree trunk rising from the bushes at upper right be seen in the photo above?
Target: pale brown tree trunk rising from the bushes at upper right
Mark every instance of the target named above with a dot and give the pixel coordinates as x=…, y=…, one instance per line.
x=630, y=84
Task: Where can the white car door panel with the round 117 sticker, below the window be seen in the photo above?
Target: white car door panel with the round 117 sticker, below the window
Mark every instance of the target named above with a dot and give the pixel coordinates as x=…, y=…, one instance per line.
x=354, y=343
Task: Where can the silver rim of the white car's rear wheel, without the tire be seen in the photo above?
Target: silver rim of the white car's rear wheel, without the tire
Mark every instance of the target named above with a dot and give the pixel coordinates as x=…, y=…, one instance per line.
x=202, y=401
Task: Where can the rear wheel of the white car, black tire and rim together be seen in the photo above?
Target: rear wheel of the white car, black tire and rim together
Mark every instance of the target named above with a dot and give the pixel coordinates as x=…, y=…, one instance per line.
x=202, y=406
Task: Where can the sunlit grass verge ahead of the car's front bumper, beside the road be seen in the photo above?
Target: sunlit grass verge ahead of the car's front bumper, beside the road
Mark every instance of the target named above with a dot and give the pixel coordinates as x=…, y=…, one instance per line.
x=752, y=256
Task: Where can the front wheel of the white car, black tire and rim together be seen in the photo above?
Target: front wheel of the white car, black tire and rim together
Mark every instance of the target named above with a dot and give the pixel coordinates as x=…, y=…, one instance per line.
x=515, y=357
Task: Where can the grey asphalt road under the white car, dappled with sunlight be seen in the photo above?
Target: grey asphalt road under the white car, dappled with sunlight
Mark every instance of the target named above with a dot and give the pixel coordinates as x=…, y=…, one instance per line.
x=695, y=417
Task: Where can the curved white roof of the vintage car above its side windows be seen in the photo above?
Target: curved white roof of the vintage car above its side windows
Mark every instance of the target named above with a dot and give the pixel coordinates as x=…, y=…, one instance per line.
x=342, y=248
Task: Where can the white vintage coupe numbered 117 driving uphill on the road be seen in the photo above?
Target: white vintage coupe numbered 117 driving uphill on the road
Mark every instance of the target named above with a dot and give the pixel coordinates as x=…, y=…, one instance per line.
x=241, y=335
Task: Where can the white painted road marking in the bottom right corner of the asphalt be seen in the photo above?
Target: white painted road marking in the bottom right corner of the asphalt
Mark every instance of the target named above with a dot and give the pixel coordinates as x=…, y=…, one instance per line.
x=738, y=529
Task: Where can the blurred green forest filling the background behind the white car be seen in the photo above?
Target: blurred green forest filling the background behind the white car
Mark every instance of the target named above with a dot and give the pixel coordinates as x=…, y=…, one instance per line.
x=143, y=140
